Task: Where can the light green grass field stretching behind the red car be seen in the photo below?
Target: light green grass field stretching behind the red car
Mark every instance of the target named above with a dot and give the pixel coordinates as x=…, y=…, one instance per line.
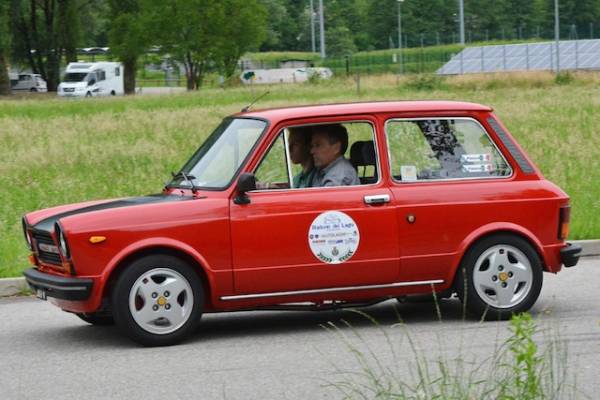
x=55, y=151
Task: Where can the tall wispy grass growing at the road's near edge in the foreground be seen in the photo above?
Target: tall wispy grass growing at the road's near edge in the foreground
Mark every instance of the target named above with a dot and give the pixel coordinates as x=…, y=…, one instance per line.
x=515, y=368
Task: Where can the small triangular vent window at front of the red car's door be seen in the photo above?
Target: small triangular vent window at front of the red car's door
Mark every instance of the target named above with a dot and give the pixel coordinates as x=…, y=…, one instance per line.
x=272, y=172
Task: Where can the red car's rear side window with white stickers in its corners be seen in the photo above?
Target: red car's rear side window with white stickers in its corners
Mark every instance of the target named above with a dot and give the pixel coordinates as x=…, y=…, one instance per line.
x=440, y=149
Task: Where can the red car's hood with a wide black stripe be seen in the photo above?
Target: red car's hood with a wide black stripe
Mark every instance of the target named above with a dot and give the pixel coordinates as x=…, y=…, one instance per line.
x=46, y=223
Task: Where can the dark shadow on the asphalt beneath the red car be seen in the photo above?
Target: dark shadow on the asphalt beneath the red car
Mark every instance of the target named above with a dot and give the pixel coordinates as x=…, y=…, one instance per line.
x=235, y=325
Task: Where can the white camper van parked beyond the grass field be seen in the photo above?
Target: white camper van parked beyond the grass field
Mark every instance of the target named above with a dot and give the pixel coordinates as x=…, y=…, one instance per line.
x=92, y=79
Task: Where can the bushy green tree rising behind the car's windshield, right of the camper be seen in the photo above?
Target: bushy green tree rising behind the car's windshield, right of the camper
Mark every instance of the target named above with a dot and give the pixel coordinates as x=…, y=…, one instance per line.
x=204, y=34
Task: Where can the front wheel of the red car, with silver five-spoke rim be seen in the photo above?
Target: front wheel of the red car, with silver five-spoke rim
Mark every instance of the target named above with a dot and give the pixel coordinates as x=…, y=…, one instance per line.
x=122, y=311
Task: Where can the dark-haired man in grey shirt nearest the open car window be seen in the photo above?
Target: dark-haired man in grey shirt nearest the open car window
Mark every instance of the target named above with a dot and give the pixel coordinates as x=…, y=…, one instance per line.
x=328, y=145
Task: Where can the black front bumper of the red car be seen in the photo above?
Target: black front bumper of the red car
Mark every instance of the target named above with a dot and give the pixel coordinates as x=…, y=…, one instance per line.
x=59, y=287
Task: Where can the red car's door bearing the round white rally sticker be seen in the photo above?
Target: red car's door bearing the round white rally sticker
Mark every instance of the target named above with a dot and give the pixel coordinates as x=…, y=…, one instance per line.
x=288, y=239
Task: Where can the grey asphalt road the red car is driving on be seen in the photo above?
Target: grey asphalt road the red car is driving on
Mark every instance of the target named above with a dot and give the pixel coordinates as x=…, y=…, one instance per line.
x=49, y=354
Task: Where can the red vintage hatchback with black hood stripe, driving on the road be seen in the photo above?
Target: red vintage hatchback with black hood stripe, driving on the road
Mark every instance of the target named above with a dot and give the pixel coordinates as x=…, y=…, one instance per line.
x=439, y=197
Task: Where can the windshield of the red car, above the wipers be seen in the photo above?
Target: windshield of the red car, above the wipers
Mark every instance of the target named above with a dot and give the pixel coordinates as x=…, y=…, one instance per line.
x=217, y=161
